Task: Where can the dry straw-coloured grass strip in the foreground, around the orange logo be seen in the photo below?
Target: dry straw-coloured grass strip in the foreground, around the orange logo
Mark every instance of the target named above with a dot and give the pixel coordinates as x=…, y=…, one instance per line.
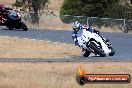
x=58, y=75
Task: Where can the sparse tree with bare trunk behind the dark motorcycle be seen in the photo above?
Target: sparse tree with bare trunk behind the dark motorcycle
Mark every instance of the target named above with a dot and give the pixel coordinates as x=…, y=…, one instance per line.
x=32, y=5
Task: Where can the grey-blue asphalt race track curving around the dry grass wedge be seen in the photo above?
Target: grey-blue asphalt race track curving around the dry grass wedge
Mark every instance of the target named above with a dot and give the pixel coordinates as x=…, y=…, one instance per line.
x=122, y=43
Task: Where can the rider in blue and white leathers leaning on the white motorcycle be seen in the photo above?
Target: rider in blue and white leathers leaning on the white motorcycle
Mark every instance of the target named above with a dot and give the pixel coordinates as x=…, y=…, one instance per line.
x=77, y=30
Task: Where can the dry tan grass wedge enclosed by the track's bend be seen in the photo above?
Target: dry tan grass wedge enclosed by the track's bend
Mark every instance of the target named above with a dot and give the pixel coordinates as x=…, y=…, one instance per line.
x=27, y=48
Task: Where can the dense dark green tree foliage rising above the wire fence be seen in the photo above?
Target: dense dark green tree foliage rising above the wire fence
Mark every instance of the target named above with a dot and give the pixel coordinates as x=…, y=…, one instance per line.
x=96, y=8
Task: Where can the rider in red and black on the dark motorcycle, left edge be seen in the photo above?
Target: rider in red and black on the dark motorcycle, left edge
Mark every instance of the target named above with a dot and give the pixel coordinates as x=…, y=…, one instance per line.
x=3, y=12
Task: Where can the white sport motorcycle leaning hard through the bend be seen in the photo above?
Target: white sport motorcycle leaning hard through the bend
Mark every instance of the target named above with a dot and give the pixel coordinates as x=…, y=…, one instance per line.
x=94, y=43
